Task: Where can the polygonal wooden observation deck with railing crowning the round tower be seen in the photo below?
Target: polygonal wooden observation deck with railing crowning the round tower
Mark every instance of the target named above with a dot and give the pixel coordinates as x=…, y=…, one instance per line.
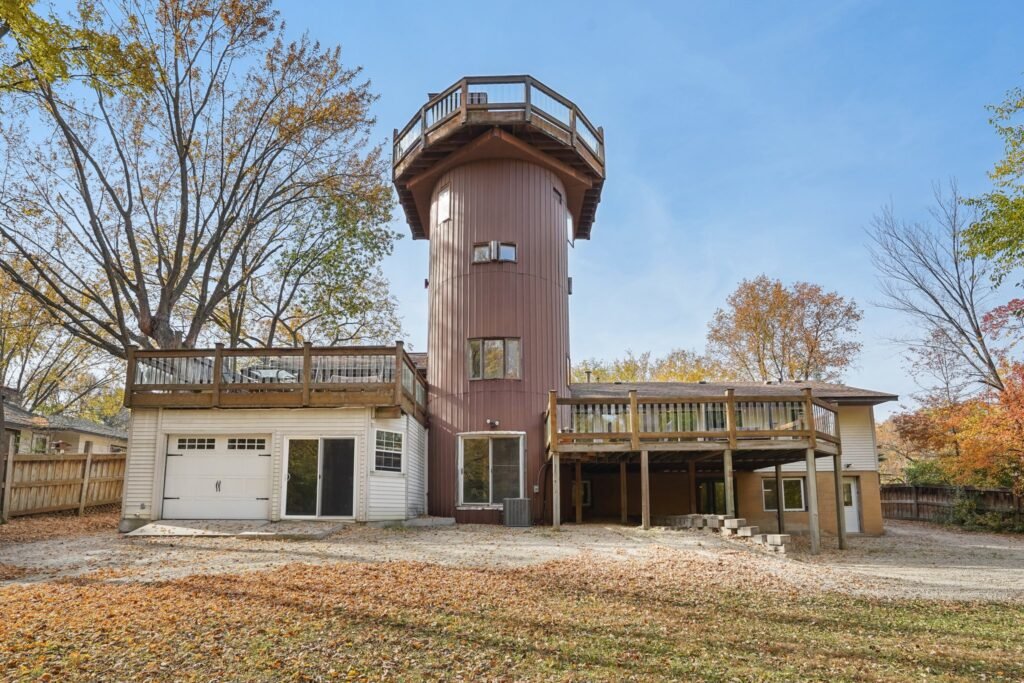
x=527, y=119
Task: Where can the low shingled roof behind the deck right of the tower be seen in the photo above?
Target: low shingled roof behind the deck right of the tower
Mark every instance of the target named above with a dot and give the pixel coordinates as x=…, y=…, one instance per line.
x=839, y=394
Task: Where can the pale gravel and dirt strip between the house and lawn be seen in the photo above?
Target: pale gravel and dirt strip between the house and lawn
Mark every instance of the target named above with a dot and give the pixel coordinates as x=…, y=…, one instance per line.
x=912, y=561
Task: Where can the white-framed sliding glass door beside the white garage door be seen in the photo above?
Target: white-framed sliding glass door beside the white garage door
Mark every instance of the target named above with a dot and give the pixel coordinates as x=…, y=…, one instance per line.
x=321, y=479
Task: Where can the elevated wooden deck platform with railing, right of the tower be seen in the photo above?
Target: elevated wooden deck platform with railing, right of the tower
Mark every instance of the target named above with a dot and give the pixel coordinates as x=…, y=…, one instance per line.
x=760, y=431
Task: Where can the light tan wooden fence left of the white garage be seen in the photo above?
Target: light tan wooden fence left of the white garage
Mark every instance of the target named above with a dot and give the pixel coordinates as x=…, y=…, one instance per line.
x=36, y=483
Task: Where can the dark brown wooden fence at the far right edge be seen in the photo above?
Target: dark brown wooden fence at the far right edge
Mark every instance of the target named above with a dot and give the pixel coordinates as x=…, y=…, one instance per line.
x=933, y=503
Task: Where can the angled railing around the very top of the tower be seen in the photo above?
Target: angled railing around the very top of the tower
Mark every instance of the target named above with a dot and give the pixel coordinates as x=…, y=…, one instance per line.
x=511, y=97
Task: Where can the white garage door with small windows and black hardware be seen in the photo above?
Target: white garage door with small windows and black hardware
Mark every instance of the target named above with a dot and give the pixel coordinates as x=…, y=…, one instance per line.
x=218, y=478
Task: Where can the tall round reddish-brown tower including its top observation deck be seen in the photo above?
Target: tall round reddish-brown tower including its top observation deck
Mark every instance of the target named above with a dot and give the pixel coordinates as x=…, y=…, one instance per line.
x=500, y=174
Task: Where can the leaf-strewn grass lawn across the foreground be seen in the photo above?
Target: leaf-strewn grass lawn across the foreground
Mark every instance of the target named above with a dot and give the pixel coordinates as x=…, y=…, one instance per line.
x=669, y=618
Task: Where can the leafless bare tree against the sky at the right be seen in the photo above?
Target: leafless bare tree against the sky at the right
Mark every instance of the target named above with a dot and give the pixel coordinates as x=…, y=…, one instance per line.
x=927, y=273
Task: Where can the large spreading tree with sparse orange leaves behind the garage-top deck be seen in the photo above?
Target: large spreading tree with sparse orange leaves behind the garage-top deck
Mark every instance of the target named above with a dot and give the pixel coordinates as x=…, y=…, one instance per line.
x=143, y=215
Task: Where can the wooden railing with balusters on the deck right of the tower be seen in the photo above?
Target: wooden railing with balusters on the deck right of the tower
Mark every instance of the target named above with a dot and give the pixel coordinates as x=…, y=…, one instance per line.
x=735, y=421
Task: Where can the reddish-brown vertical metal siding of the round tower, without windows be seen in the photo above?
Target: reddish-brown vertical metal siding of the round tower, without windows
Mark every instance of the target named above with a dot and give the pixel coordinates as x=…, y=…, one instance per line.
x=509, y=201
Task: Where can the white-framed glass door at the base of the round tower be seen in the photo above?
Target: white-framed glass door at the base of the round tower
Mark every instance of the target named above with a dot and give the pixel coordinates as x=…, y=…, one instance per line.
x=491, y=469
